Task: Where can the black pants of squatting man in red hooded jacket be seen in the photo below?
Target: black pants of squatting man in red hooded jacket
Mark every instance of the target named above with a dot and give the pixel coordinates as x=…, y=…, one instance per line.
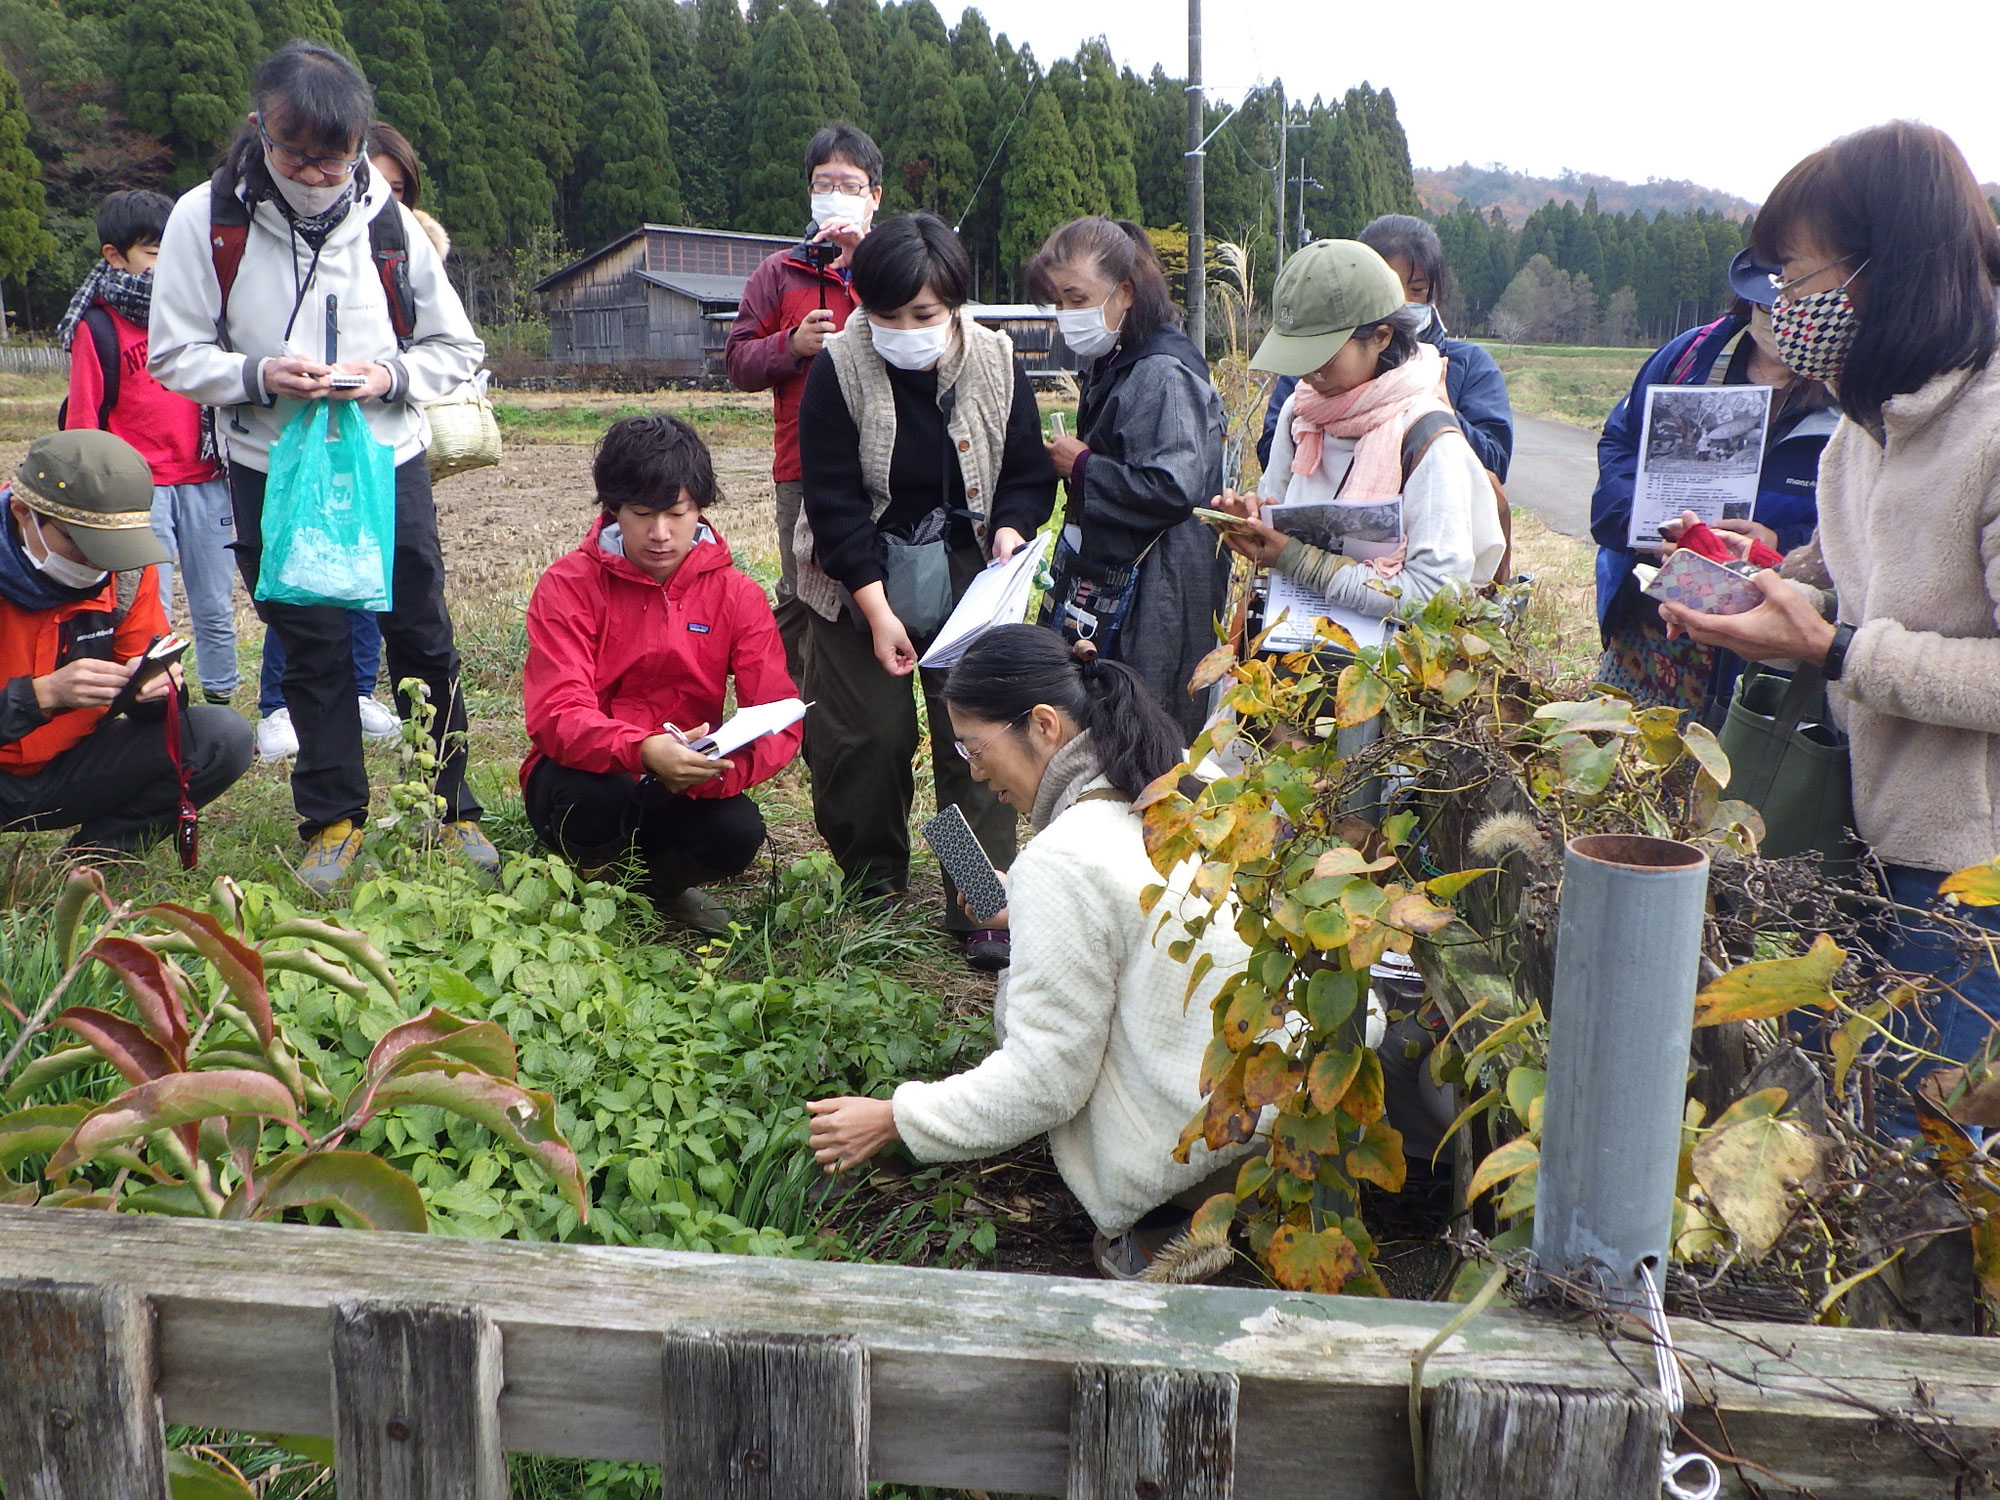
x=685, y=841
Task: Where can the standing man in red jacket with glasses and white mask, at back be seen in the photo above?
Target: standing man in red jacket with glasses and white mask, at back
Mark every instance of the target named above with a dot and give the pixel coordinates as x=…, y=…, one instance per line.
x=789, y=309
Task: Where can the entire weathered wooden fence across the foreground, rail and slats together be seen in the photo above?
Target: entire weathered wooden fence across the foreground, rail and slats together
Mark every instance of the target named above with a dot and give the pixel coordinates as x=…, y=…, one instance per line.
x=795, y=1381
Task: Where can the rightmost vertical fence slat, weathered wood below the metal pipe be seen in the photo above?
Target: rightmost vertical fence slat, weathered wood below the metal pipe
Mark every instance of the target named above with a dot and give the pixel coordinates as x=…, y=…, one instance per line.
x=1503, y=1441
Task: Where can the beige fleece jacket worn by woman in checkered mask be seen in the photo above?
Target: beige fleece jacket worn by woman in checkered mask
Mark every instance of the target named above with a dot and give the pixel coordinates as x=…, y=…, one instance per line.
x=1911, y=535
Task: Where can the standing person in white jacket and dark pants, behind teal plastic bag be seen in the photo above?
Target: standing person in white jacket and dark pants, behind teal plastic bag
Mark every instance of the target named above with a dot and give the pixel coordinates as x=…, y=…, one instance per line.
x=261, y=271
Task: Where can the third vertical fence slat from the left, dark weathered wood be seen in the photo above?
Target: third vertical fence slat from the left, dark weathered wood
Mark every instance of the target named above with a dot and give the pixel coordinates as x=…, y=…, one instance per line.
x=783, y=1417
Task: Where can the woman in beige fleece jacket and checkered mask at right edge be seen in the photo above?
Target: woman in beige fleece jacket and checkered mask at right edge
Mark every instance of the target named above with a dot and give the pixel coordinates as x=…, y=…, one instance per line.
x=1891, y=291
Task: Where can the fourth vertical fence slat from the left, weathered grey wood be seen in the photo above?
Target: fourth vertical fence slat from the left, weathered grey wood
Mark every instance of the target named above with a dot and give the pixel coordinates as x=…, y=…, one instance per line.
x=1153, y=1435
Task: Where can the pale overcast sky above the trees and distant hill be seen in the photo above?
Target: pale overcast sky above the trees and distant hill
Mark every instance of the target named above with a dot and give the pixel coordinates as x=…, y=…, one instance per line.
x=1629, y=91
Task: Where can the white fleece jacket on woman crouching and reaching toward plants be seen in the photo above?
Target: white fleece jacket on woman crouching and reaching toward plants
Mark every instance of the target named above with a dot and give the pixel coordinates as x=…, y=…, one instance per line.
x=1101, y=1049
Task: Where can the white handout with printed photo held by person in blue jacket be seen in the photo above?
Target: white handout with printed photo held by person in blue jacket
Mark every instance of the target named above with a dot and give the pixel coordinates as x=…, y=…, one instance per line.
x=1701, y=449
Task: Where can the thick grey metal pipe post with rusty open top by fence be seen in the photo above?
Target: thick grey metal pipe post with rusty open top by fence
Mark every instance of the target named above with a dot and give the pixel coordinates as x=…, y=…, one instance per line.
x=1629, y=945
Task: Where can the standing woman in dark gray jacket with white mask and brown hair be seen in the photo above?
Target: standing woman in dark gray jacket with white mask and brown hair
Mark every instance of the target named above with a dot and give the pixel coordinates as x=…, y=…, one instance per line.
x=1135, y=571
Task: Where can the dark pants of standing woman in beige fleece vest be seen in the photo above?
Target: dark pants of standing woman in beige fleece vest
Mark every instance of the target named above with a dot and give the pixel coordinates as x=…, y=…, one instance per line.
x=861, y=743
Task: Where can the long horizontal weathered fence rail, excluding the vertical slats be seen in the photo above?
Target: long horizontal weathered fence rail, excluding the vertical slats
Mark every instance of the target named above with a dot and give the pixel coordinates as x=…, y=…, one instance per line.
x=969, y=1371
